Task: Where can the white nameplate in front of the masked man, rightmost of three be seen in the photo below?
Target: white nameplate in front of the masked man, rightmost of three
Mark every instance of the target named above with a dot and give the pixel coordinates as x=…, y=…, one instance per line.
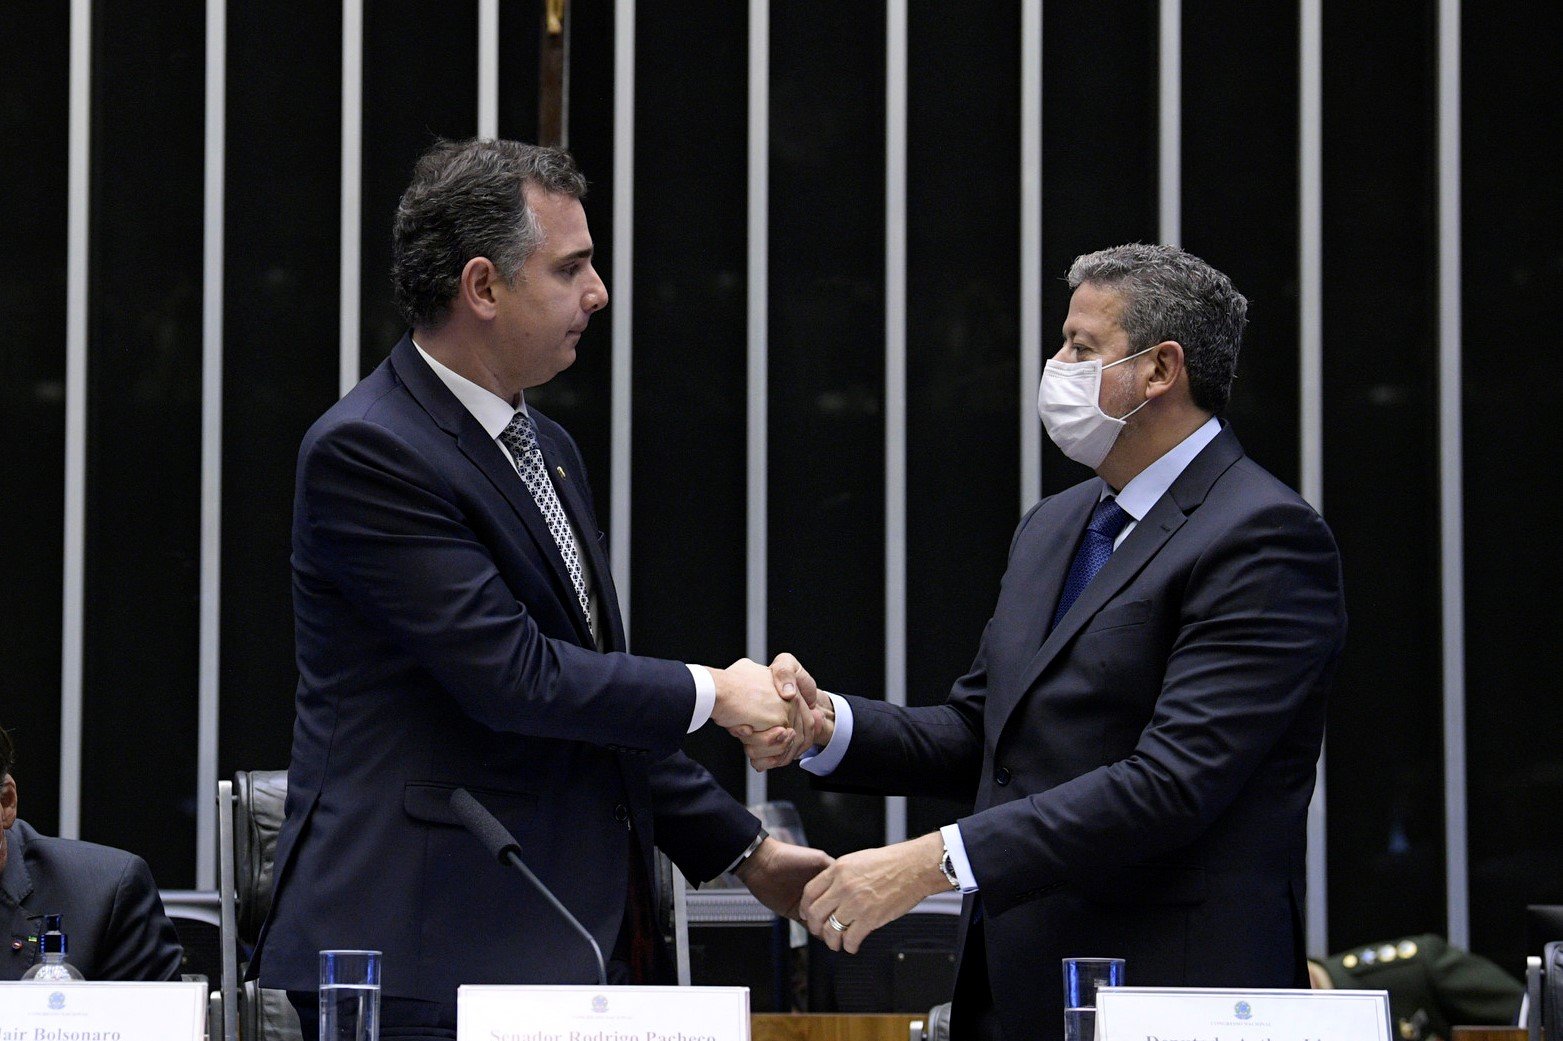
x=1168, y=1014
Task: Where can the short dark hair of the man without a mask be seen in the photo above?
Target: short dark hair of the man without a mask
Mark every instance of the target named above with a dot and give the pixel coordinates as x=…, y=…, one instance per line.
x=468, y=201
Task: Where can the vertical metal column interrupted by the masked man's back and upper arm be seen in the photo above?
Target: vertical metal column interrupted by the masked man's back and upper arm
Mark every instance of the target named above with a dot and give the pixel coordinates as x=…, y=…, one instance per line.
x=1311, y=340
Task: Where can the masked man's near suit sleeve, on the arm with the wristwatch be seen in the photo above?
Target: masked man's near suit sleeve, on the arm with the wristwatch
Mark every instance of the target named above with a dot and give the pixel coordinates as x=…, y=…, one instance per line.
x=1262, y=626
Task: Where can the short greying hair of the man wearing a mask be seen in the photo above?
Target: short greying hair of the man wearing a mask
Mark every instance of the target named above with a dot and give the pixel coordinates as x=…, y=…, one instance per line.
x=1170, y=295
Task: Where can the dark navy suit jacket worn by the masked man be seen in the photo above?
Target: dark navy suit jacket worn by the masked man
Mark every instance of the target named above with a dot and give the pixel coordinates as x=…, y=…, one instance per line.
x=1142, y=774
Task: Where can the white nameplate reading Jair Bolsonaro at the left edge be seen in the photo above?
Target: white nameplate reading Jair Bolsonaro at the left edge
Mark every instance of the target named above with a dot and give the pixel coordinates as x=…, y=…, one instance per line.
x=102, y=1012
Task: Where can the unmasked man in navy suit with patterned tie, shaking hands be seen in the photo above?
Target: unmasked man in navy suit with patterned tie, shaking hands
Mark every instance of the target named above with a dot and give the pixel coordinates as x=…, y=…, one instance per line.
x=459, y=628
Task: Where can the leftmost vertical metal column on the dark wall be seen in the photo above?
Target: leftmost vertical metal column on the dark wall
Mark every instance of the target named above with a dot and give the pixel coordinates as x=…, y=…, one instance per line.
x=74, y=604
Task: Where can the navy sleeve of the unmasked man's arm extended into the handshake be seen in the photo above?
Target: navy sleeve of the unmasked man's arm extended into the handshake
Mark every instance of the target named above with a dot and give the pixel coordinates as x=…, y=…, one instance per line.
x=385, y=528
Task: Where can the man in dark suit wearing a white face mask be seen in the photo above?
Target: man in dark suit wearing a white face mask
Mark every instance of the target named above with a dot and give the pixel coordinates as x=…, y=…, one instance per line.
x=1143, y=718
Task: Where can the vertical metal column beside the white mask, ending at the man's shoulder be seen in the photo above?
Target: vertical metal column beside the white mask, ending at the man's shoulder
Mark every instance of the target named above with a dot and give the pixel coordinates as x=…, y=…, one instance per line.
x=1031, y=249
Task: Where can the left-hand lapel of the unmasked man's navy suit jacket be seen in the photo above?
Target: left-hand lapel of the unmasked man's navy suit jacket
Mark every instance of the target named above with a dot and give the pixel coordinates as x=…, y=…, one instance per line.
x=454, y=418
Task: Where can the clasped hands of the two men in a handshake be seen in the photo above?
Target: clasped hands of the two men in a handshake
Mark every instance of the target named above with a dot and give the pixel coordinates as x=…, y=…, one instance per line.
x=776, y=714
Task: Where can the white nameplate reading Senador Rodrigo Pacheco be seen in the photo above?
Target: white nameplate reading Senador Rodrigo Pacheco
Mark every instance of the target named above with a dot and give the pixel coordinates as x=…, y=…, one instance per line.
x=603, y=1014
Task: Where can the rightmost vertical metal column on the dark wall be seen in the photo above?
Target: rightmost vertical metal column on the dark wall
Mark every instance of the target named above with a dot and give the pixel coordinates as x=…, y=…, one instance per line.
x=1451, y=468
